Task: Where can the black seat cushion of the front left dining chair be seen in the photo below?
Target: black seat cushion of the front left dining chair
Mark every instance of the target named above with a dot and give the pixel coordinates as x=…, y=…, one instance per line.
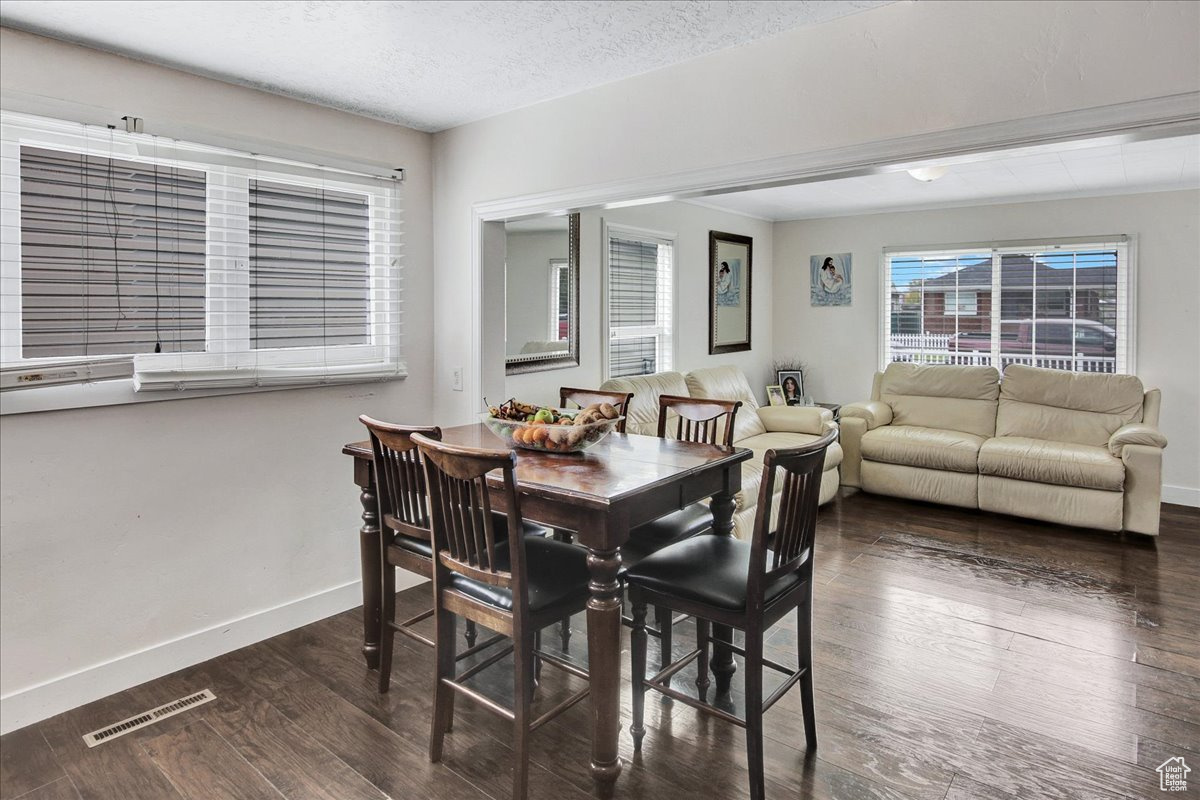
x=557, y=576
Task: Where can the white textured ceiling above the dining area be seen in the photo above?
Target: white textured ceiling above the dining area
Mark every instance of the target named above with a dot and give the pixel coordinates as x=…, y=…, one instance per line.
x=428, y=65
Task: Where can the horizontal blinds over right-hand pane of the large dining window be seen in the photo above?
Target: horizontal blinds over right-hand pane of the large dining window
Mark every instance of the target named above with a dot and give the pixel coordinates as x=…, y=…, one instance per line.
x=309, y=267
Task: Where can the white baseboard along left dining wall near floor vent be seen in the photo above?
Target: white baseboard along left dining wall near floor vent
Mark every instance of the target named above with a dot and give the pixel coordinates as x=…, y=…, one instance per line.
x=65, y=693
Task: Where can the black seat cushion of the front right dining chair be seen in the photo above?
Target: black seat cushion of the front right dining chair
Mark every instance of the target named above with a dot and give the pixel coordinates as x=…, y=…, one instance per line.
x=710, y=570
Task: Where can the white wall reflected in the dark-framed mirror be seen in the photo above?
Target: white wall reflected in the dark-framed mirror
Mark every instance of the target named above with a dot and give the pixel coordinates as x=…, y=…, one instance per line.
x=527, y=285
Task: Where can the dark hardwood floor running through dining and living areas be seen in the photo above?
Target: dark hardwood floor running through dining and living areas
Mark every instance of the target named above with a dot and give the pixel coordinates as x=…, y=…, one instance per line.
x=959, y=657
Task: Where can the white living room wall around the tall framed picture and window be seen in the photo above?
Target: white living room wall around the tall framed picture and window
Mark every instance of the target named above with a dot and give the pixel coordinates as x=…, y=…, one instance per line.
x=691, y=226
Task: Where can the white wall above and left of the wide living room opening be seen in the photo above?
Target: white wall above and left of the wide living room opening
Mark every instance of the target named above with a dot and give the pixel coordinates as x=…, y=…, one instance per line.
x=857, y=80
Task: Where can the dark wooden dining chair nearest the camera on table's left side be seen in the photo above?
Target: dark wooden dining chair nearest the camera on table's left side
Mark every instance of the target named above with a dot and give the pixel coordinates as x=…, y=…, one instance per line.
x=515, y=591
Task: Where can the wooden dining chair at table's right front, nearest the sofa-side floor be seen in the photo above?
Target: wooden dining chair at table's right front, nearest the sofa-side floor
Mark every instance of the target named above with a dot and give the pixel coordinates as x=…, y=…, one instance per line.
x=746, y=586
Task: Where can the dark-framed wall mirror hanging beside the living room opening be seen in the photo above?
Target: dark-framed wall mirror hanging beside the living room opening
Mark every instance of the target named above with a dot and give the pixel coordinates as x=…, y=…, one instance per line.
x=542, y=294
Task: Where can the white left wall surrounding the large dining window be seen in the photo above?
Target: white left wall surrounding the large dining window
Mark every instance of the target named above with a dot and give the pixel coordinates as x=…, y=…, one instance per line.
x=139, y=539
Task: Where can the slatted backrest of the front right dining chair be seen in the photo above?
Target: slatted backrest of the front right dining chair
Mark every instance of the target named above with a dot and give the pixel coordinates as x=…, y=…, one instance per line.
x=789, y=548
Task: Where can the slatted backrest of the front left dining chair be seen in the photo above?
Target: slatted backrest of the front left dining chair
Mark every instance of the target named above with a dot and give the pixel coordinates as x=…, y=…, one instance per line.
x=461, y=512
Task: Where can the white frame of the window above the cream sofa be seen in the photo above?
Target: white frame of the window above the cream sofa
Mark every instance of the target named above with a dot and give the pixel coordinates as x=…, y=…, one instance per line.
x=1126, y=246
